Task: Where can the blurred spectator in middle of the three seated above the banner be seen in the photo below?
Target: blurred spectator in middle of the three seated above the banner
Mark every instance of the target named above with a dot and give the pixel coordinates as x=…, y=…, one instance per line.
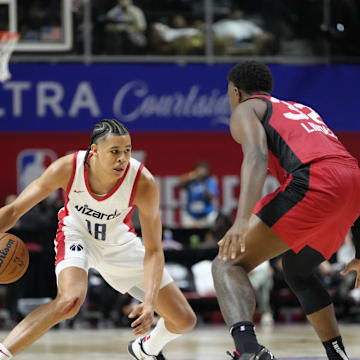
x=179, y=38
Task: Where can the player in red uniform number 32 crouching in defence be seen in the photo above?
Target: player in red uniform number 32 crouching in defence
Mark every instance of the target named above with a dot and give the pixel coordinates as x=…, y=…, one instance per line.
x=306, y=219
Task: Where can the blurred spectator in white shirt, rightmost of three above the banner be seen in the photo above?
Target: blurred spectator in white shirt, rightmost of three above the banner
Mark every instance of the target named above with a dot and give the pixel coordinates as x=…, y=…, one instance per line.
x=235, y=35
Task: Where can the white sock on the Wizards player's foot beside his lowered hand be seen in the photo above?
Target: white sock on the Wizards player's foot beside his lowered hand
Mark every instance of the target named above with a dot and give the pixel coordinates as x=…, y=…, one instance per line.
x=157, y=339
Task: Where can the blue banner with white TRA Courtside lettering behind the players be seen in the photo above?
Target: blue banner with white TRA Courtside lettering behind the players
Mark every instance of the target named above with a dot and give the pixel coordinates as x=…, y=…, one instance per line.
x=160, y=97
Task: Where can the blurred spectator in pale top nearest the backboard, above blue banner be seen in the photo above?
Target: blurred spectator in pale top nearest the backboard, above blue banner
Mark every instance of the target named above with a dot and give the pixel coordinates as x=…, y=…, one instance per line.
x=125, y=29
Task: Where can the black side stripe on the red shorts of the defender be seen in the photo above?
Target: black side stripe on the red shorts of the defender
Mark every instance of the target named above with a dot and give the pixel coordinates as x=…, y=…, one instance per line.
x=287, y=199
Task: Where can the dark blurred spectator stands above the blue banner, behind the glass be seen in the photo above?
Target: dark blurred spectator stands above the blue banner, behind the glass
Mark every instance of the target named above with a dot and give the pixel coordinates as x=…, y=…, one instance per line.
x=242, y=27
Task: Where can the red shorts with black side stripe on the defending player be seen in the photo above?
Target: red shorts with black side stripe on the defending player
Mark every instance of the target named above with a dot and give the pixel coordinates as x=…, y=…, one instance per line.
x=316, y=206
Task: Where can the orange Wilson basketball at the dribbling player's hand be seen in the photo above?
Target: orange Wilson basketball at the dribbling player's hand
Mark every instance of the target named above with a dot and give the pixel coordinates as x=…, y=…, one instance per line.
x=14, y=258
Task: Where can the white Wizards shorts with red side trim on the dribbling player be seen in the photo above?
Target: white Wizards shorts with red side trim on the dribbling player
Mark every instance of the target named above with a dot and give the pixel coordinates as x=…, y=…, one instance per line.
x=121, y=266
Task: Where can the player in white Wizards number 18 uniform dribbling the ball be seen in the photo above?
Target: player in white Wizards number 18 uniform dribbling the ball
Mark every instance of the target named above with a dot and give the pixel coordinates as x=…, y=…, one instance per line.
x=103, y=186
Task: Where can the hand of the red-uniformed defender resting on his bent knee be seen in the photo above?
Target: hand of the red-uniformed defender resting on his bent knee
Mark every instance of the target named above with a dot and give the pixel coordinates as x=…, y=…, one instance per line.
x=233, y=241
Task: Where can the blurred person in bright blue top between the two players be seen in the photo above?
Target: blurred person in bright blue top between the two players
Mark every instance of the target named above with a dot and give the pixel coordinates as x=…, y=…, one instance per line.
x=201, y=190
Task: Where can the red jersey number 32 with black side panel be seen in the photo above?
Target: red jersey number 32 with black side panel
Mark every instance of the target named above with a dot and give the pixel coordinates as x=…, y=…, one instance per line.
x=297, y=135
